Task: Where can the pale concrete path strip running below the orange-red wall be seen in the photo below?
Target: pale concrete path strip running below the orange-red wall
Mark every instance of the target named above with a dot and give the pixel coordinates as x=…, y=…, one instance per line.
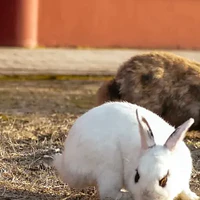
x=70, y=61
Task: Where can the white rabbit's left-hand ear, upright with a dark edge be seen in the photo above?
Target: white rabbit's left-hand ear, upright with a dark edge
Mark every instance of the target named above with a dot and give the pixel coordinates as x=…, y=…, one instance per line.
x=147, y=138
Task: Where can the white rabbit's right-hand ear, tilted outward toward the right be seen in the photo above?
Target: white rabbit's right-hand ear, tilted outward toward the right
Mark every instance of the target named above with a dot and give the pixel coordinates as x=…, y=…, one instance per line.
x=178, y=134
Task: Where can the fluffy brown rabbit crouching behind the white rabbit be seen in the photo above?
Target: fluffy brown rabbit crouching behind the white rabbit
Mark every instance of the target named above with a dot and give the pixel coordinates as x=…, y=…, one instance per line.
x=164, y=83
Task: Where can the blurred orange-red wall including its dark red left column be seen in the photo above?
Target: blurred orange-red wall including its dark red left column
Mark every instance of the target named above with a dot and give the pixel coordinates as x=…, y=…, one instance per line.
x=101, y=23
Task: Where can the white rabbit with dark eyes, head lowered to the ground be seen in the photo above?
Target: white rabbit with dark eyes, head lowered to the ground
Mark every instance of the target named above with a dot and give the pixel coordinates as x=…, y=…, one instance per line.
x=121, y=145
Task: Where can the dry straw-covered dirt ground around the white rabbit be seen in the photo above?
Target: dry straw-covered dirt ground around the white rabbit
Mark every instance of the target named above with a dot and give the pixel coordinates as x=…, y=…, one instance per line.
x=35, y=117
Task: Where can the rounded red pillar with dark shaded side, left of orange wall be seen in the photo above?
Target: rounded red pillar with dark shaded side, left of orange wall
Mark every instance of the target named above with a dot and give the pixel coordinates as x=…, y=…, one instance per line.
x=18, y=22
